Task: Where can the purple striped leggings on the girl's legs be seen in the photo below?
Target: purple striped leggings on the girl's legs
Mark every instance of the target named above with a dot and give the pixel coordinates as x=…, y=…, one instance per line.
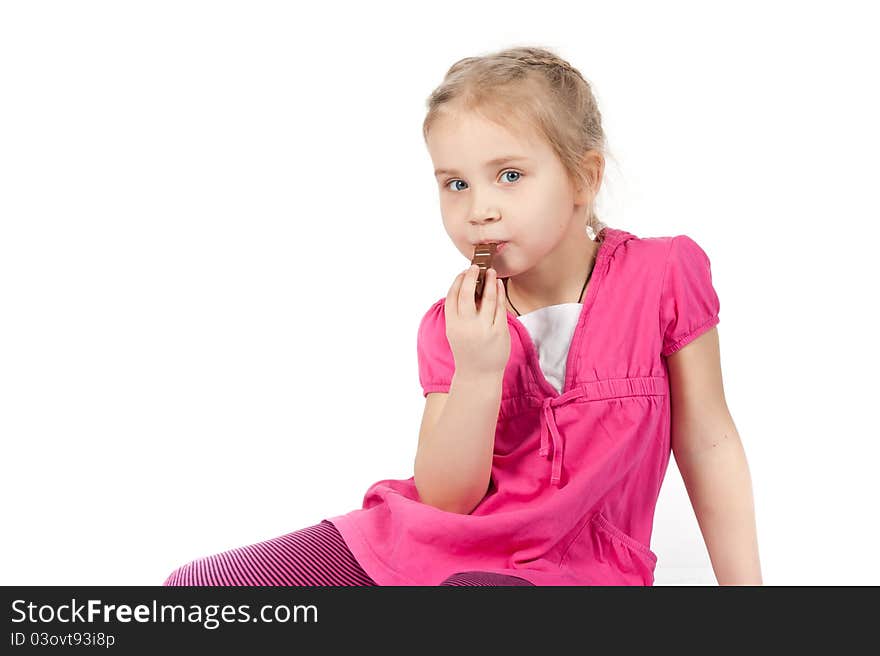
x=315, y=555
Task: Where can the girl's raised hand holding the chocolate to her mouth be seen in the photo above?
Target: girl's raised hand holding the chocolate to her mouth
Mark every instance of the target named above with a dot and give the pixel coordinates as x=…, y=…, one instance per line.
x=477, y=332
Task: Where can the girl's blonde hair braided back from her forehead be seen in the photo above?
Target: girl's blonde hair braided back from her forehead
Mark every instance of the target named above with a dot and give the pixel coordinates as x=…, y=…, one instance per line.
x=529, y=87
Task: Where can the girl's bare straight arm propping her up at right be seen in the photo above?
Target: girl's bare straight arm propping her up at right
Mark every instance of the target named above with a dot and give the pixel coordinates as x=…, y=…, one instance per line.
x=712, y=462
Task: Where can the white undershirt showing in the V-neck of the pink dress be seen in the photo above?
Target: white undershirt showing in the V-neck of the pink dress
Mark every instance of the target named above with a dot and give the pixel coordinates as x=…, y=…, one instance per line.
x=551, y=329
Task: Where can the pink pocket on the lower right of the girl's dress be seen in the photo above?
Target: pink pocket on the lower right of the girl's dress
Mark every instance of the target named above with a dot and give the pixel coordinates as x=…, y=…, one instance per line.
x=603, y=554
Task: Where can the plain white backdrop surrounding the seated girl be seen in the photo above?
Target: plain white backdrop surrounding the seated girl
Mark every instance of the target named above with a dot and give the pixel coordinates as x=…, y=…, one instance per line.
x=185, y=369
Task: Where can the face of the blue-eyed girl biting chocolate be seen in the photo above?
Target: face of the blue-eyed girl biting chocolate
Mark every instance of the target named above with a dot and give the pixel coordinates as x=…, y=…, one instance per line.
x=528, y=202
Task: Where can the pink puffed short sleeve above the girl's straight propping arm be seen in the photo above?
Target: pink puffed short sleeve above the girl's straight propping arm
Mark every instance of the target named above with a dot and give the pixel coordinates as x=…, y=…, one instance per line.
x=688, y=303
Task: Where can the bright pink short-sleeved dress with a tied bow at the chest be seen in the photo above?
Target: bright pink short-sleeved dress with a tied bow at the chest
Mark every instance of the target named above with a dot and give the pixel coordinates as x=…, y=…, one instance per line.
x=575, y=475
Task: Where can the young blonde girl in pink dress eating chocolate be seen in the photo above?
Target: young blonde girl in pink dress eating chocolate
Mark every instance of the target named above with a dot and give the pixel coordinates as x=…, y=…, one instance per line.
x=554, y=401
